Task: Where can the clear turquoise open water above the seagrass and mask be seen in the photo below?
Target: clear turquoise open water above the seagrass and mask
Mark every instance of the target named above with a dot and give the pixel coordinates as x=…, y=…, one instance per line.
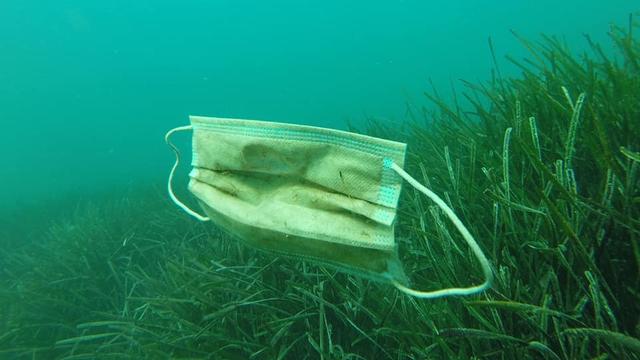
x=88, y=88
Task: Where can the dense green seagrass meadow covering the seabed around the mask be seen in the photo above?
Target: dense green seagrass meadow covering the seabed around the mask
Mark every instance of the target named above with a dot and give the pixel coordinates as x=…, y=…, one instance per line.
x=543, y=168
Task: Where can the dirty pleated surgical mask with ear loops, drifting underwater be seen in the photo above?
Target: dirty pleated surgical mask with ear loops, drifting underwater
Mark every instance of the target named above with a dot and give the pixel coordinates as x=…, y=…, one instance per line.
x=313, y=193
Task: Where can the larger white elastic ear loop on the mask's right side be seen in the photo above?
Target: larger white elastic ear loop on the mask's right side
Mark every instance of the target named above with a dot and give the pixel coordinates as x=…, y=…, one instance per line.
x=484, y=263
